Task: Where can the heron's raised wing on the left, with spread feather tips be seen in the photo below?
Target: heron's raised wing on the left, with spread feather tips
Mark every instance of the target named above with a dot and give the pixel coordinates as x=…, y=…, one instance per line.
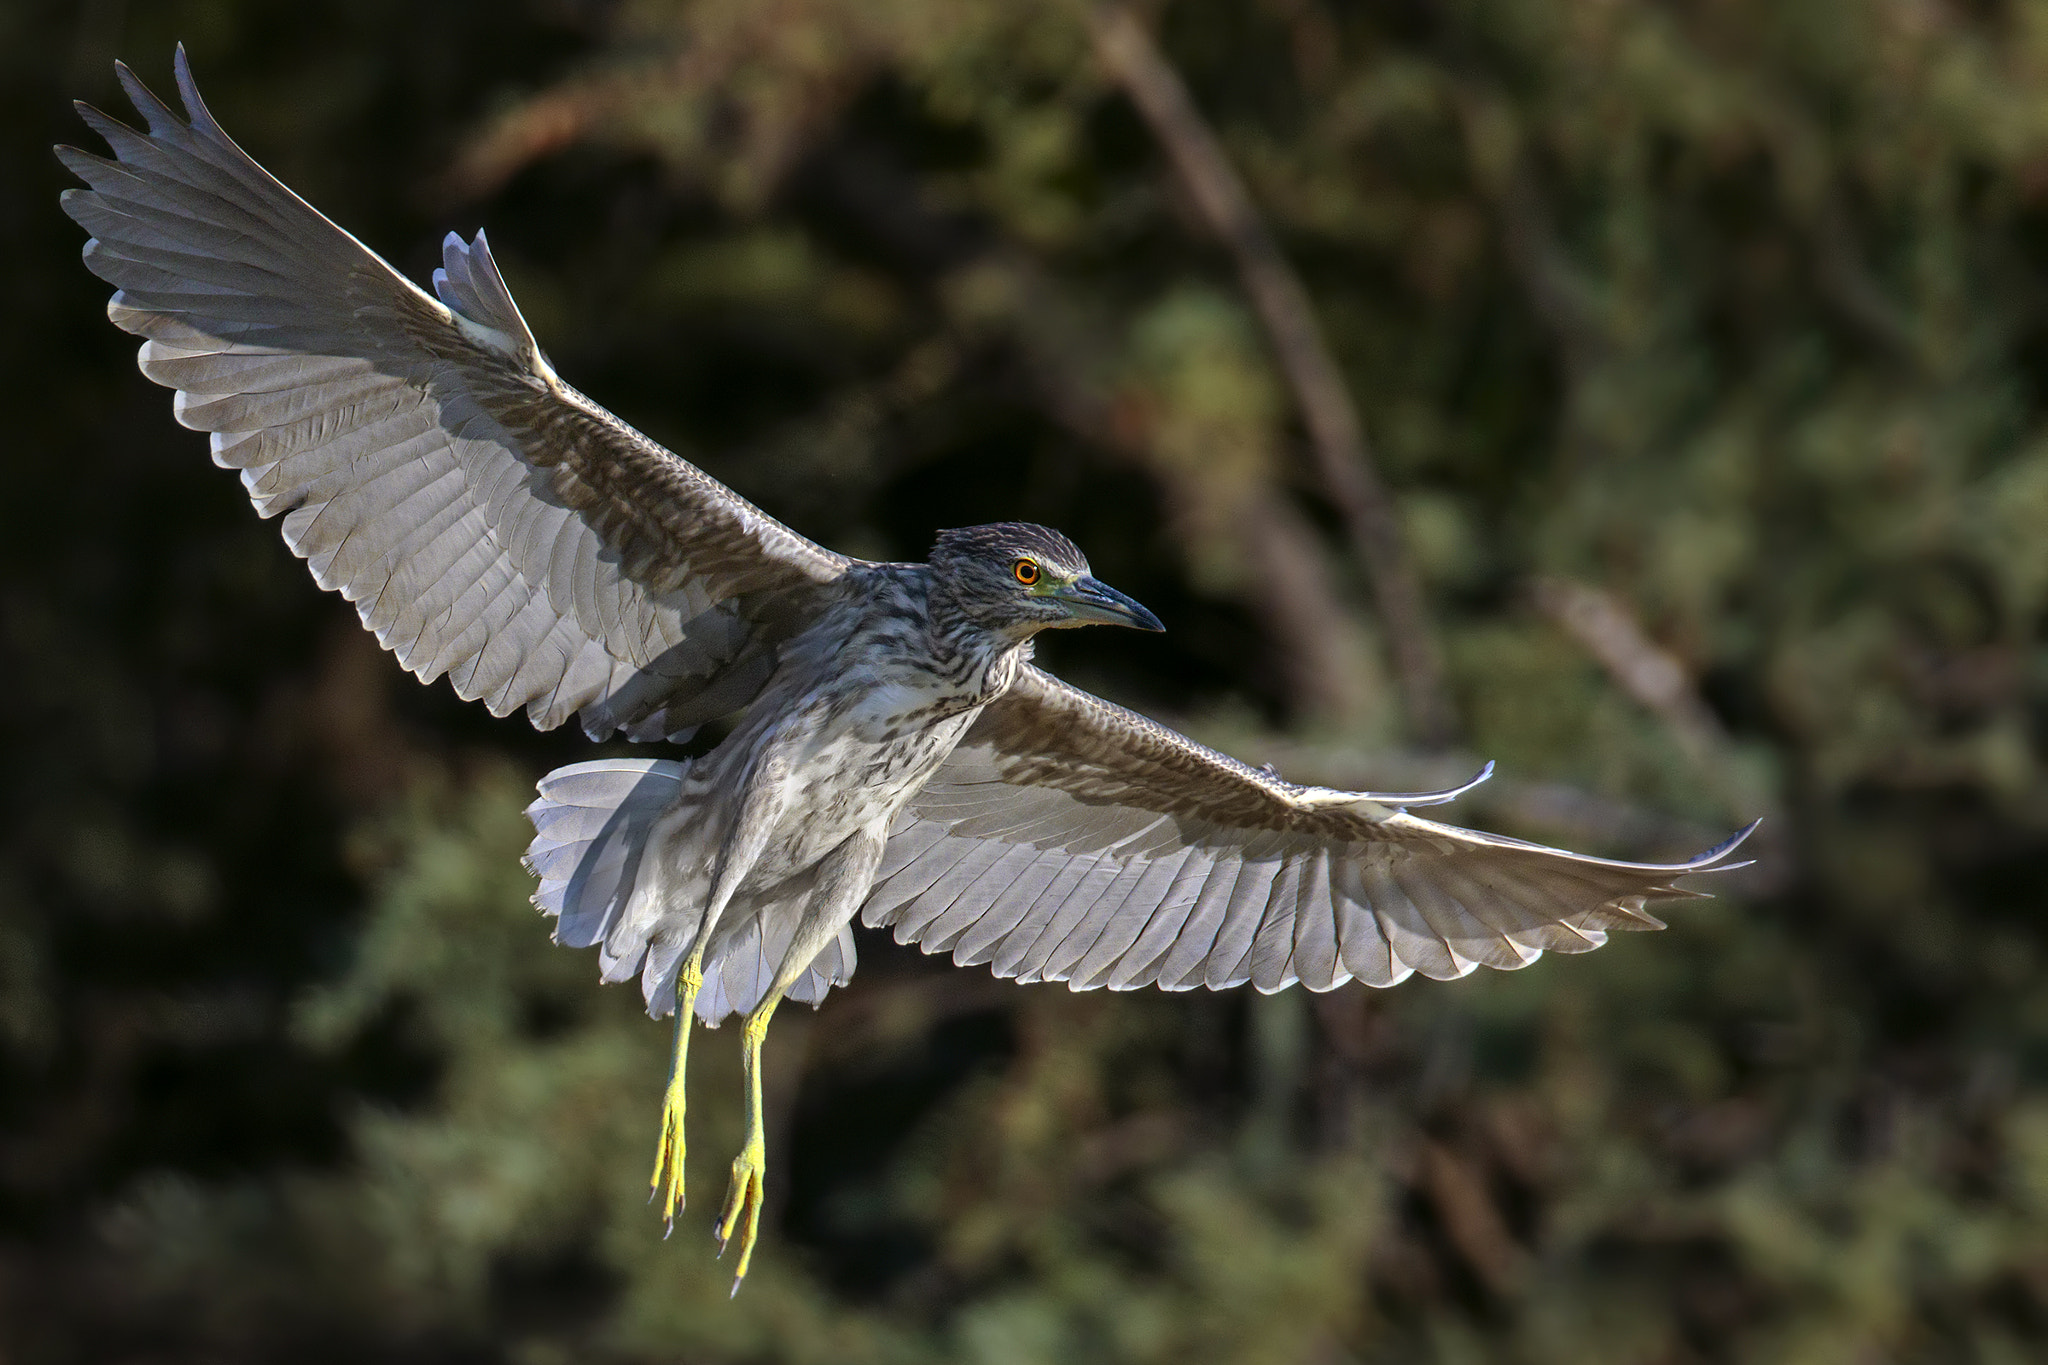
x=486, y=519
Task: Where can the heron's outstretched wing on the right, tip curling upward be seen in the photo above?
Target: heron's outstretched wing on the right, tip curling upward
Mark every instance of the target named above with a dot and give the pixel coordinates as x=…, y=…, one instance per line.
x=1072, y=840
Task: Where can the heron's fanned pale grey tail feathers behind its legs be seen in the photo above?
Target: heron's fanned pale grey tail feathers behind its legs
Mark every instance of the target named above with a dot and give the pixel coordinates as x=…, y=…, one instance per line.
x=593, y=830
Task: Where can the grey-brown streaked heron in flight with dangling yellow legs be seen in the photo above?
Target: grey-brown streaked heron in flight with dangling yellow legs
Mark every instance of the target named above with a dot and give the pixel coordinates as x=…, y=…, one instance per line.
x=898, y=756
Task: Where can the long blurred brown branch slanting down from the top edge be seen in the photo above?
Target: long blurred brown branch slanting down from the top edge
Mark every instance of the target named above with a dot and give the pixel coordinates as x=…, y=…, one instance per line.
x=1336, y=433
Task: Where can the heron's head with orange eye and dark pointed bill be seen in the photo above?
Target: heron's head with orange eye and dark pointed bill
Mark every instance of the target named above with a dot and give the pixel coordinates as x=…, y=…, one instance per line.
x=1019, y=580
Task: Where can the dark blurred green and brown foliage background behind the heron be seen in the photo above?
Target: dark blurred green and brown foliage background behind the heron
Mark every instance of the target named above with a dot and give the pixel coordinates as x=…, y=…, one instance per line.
x=1703, y=349
